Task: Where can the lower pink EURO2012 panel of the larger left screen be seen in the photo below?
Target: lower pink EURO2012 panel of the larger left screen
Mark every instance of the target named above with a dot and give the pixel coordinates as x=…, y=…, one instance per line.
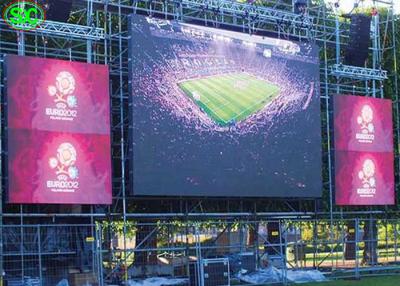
x=59, y=167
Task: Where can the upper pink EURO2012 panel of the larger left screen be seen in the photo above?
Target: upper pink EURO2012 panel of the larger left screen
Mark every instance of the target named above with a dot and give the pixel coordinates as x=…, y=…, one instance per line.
x=55, y=95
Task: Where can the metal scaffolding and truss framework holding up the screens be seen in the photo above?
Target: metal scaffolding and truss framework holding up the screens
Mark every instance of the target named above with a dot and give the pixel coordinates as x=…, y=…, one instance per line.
x=100, y=34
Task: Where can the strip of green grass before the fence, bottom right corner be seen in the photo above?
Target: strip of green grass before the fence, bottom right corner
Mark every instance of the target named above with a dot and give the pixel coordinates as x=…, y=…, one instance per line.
x=375, y=281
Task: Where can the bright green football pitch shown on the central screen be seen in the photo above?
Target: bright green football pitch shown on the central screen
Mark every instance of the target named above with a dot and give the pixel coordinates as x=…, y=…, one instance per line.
x=230, y=98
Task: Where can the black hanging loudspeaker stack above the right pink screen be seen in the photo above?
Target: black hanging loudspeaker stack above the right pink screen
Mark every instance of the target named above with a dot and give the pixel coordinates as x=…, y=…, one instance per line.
x=356, y=52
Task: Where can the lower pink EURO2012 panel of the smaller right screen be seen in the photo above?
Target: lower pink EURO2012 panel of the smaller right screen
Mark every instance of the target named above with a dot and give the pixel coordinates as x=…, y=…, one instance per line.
x=364, y=178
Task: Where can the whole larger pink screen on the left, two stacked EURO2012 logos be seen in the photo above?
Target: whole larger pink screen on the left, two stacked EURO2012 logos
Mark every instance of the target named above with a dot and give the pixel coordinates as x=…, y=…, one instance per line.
x=58, y=143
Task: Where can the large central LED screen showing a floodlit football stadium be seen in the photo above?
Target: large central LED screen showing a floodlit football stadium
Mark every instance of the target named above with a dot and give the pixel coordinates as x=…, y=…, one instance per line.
x=220, y=113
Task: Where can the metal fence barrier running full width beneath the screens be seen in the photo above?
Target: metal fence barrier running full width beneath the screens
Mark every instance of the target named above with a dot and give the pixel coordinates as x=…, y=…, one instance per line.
x=199, y=252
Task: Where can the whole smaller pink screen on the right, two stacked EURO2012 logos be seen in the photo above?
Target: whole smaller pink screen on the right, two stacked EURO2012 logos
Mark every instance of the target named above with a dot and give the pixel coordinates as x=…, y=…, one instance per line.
x=364, y=159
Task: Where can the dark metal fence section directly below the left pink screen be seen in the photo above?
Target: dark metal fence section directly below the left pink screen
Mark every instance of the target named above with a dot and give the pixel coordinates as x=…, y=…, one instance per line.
x=47, y=254
